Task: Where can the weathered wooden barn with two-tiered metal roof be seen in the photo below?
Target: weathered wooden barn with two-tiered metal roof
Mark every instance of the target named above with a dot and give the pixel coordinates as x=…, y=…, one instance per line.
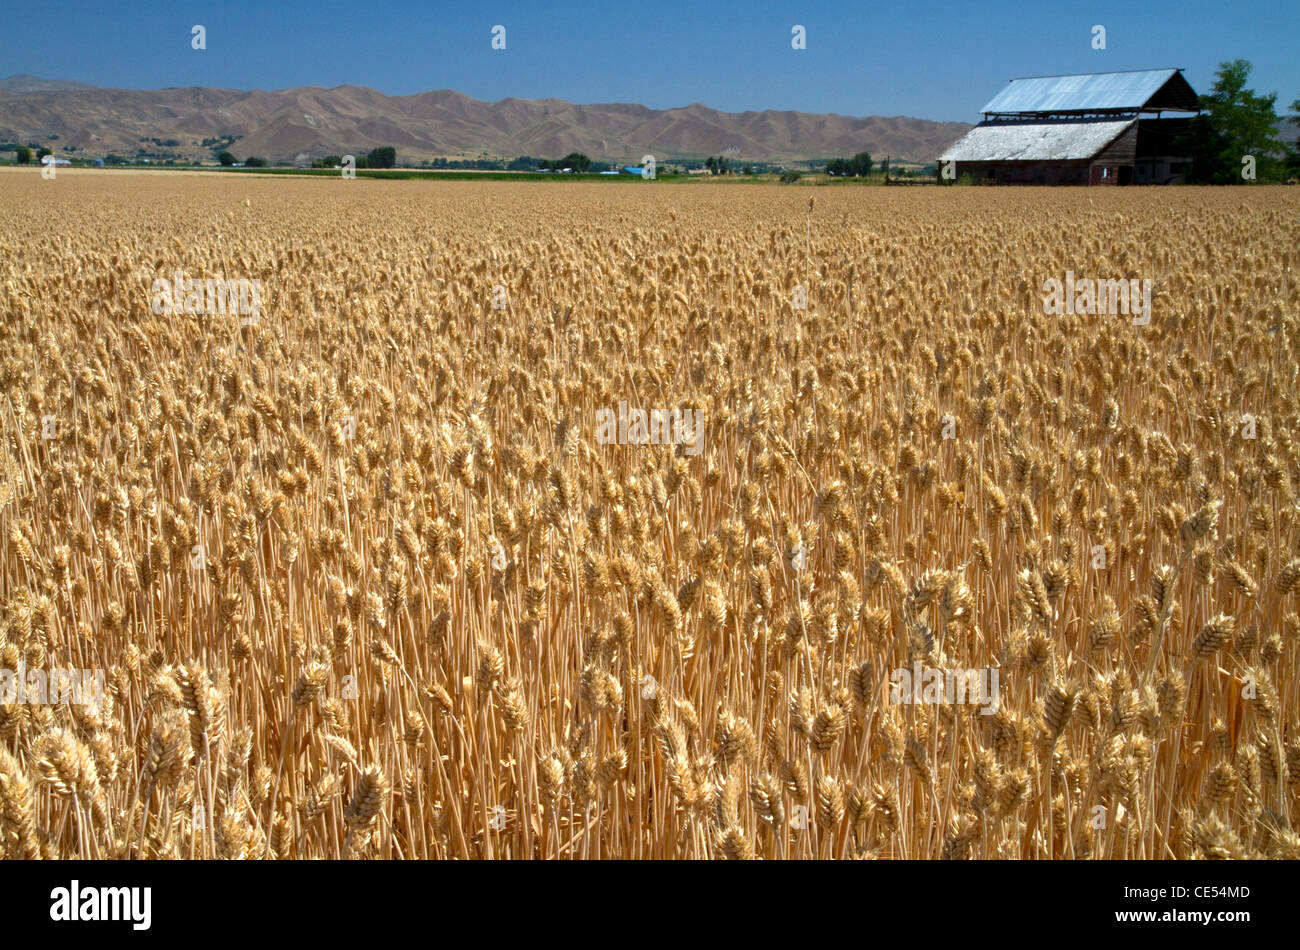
x=1089, y=129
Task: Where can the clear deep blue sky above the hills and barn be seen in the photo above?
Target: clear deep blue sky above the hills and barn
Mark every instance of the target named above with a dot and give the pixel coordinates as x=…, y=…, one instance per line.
x=935, y=59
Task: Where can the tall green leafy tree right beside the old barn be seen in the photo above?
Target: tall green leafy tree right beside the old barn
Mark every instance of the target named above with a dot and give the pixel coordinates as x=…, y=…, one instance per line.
x=1236, y=124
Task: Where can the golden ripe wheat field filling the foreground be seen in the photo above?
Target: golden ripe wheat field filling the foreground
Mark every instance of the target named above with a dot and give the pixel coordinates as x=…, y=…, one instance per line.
x=363, y=582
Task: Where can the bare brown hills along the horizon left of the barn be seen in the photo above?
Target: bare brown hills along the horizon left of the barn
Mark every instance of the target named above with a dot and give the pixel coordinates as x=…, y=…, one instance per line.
x=302, y=124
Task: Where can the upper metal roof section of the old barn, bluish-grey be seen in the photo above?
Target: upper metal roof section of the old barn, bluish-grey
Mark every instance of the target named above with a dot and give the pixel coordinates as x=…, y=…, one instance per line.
x=1097, y=93
